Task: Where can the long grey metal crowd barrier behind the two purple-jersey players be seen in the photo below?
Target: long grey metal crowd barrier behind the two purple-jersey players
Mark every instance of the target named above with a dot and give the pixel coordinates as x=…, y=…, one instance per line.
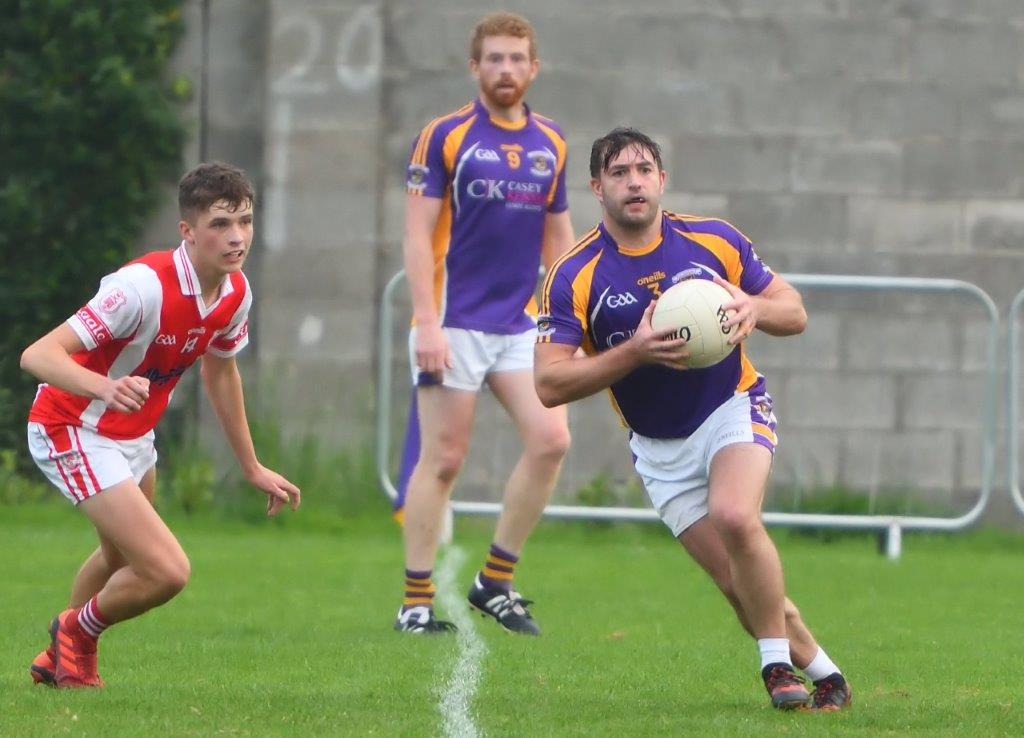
x=891, y=526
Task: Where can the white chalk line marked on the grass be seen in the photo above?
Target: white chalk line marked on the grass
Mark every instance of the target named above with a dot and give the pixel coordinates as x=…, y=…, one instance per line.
x=457, y=699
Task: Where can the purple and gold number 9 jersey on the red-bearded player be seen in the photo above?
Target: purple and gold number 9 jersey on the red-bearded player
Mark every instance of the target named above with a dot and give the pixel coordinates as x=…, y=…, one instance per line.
x=497, y=182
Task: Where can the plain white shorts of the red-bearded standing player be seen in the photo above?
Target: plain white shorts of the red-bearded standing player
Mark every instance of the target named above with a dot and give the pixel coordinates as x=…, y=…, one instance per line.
x=476, y=355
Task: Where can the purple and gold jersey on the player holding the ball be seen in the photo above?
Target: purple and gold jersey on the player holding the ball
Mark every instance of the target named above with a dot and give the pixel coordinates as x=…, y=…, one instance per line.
x=595, y=296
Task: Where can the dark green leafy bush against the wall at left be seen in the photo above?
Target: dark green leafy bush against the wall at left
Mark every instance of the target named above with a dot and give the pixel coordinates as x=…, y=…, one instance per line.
x=89, y=131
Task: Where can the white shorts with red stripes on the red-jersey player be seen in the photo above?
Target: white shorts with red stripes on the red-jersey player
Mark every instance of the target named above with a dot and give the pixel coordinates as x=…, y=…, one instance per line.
x=81, y=463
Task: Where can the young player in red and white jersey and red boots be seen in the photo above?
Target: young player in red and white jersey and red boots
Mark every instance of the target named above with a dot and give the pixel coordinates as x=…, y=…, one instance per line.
x=108, y=375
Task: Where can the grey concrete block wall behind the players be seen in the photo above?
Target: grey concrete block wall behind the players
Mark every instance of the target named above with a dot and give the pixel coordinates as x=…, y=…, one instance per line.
x=844, y=137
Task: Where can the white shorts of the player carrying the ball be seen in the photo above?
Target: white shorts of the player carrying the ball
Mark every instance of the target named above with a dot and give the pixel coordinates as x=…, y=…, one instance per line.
x=675, y=471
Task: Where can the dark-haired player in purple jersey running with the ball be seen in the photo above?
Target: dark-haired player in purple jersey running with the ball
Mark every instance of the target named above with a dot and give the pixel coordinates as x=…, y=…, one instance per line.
x=703, y=440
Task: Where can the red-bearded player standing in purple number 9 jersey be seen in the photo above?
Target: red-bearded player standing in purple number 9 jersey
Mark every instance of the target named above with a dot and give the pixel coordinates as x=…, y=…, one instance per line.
x=486, y=206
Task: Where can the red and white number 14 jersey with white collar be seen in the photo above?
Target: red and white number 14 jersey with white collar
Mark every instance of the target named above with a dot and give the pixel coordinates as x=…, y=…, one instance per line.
x=148, y=320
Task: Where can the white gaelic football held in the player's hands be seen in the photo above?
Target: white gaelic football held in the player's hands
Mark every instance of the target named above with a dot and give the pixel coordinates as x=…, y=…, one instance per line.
x=694, y=309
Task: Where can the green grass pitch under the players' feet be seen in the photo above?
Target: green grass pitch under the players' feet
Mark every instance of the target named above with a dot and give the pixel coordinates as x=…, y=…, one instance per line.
x=286, y=631
